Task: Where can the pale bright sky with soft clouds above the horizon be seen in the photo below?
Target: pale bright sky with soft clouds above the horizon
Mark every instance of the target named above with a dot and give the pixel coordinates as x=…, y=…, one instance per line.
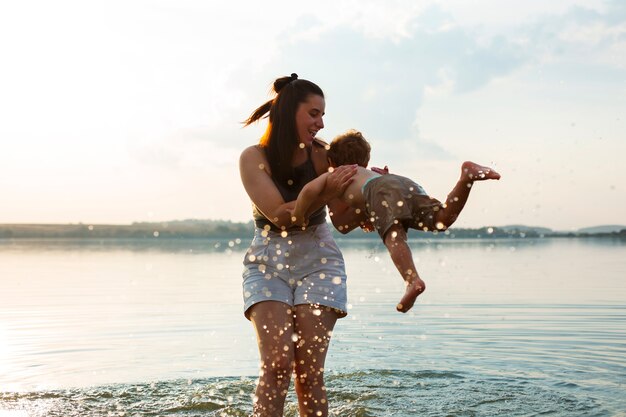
x=124, y=111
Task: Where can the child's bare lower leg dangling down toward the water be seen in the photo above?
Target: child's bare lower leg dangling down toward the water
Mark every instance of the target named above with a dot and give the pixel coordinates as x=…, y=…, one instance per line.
x=395, y=241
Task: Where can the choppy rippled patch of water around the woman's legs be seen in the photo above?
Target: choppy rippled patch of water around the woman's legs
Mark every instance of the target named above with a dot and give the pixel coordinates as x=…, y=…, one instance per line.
x=356, y=394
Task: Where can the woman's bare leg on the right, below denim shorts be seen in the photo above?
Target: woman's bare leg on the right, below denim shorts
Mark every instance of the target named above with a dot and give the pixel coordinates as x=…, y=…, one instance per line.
x=313, y=330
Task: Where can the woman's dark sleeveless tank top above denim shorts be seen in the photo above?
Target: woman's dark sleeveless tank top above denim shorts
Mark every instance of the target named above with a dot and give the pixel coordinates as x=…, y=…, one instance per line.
x=303, y=174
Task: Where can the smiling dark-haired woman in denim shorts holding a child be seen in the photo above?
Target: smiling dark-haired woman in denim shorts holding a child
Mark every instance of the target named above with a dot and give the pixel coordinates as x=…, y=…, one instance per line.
x=294, y=280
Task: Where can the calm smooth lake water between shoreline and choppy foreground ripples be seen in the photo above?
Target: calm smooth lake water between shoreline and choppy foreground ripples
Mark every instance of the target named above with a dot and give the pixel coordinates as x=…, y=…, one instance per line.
x=76, y=314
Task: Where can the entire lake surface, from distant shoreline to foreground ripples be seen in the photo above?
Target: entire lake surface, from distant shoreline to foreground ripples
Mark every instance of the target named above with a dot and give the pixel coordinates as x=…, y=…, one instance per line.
x=505, y=328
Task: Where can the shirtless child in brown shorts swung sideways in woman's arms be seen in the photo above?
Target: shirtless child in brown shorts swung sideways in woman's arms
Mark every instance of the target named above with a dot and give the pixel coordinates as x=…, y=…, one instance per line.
x=392, y=204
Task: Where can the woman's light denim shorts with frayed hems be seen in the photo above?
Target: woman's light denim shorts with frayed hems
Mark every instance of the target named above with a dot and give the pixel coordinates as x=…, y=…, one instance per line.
x=295, y=267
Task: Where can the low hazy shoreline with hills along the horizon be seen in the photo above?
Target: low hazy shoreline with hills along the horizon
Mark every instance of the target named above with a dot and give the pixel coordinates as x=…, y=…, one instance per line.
x=218, y=229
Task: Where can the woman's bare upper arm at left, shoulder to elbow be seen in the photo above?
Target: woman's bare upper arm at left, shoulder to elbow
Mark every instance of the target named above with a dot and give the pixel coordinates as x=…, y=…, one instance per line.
x=256, y=179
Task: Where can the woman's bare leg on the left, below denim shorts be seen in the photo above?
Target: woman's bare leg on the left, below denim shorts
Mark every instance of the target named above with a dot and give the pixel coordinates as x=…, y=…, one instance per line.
x=273, y=323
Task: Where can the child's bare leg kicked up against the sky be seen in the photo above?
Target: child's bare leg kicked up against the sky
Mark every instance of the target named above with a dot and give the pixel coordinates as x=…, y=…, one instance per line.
x=470, y=172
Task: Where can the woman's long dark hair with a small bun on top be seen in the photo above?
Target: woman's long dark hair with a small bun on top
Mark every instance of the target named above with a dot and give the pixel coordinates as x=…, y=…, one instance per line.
x=280, y=140
